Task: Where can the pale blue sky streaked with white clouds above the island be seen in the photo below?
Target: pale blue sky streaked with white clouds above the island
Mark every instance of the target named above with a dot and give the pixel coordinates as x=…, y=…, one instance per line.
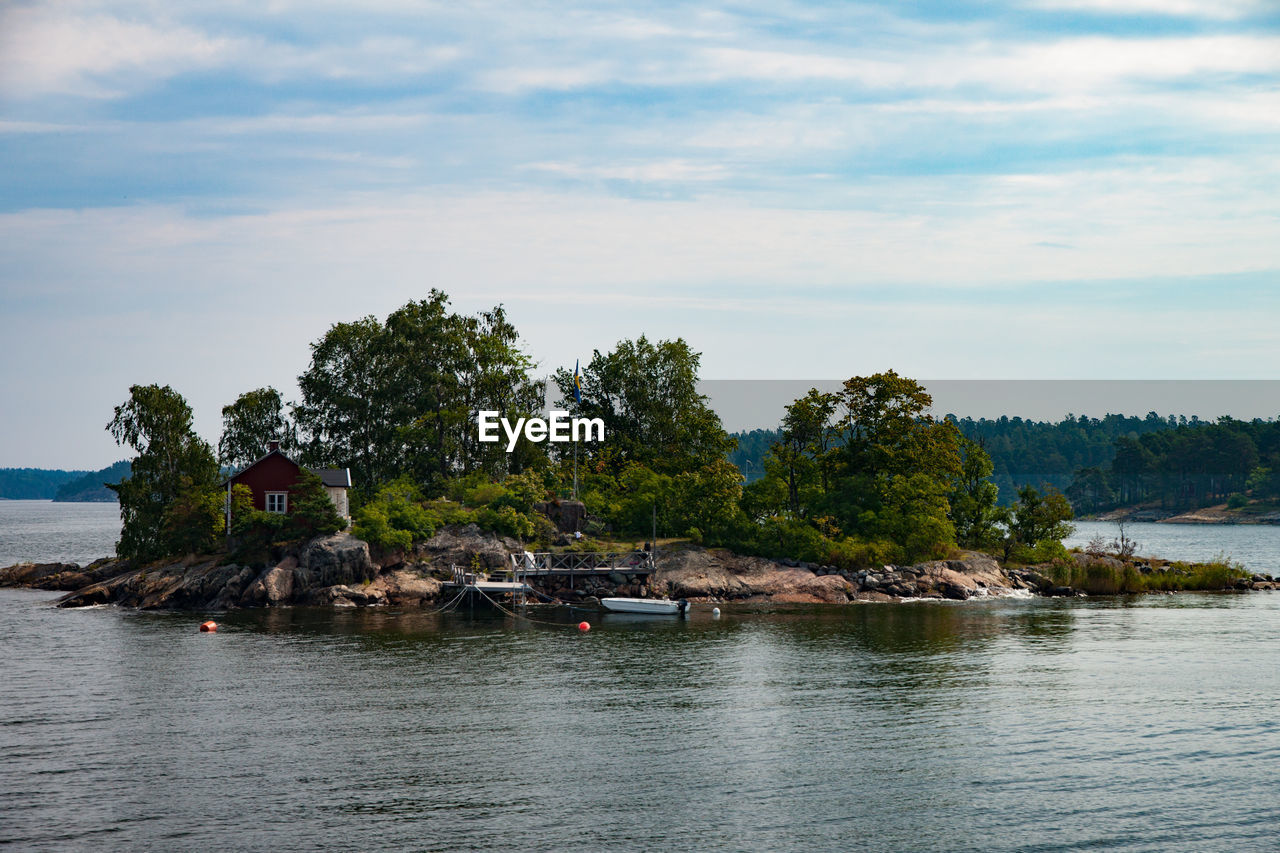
x=193, y=194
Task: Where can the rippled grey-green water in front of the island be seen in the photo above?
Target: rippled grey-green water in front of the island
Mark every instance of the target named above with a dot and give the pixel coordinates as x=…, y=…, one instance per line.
x=1031, y=726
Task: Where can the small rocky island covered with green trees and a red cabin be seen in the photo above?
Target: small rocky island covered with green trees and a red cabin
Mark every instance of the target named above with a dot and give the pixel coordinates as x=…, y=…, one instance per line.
x=862, y=495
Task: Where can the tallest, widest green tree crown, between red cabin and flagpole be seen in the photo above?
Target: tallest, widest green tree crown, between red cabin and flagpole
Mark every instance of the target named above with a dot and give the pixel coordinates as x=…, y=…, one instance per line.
x=401, y=398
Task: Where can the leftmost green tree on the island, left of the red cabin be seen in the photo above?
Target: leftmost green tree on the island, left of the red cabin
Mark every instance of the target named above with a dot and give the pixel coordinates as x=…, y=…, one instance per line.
x=172, y=462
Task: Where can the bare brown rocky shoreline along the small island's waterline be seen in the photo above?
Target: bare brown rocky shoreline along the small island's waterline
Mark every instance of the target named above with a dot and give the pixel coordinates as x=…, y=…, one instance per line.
x=341, y=572
